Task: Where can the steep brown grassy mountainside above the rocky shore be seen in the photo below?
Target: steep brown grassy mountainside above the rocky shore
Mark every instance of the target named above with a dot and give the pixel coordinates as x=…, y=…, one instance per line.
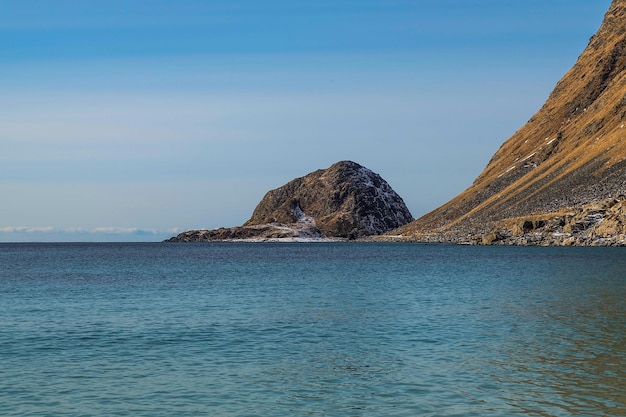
x=571, y=152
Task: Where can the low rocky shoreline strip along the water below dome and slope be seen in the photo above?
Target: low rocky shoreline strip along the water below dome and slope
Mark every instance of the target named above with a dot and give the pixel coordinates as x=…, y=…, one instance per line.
x=596, y=224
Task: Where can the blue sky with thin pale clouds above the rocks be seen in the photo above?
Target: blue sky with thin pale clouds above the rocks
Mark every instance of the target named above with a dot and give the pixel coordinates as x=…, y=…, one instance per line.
x=134, y=120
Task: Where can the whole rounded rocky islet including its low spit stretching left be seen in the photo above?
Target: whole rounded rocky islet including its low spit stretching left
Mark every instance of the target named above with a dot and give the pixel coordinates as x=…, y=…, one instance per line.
x=345, y=201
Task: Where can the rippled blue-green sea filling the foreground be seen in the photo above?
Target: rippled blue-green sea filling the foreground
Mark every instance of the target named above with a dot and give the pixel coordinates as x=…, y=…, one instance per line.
x=311, y=329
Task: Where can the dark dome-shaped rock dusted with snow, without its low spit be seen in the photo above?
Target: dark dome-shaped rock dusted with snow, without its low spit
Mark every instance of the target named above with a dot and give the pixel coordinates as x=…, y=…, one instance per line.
x=346, y=200
